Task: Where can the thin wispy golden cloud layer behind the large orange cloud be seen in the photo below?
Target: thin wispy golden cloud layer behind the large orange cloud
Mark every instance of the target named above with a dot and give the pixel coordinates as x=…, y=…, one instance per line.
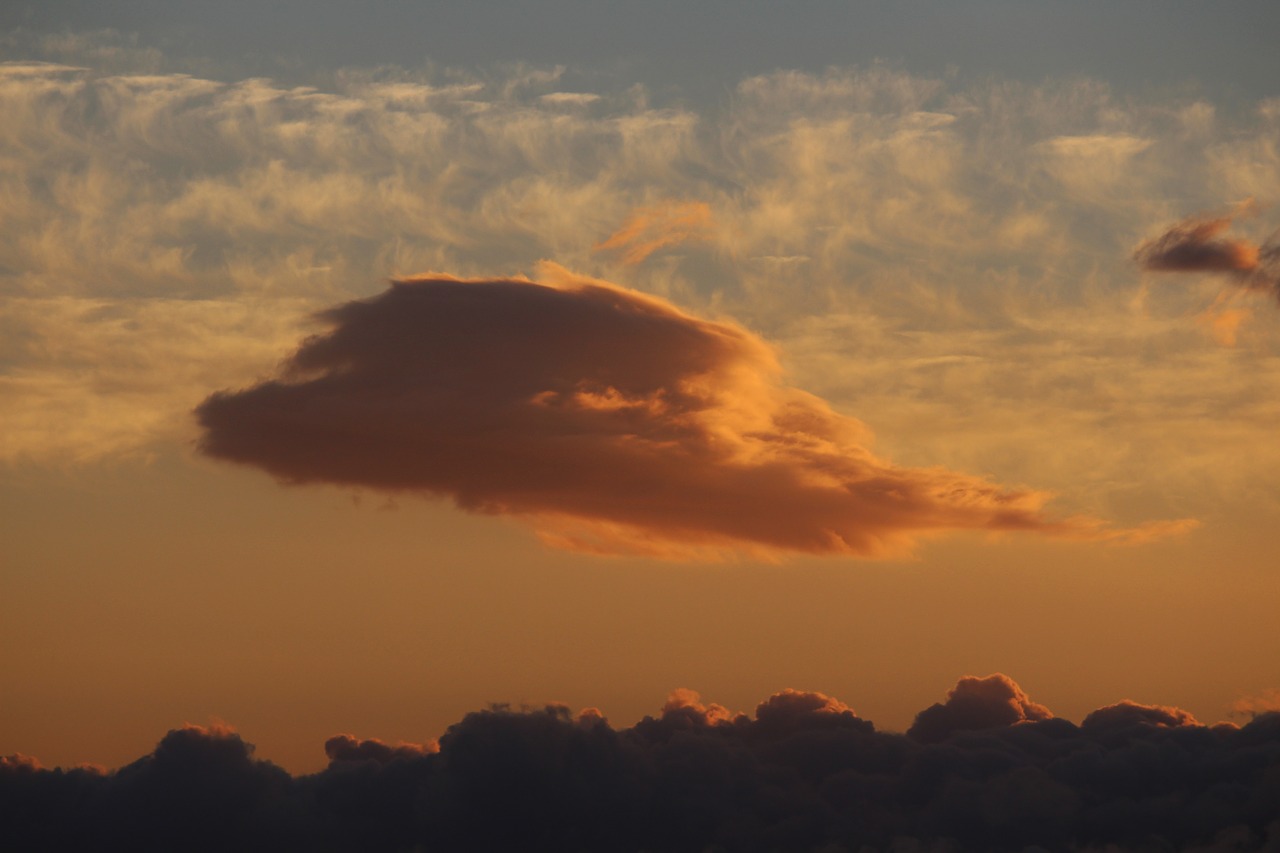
x=917, y=245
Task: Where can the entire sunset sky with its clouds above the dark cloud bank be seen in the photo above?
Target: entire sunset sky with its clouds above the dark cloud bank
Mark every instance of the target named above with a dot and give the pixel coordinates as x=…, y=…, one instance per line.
x=367, y=364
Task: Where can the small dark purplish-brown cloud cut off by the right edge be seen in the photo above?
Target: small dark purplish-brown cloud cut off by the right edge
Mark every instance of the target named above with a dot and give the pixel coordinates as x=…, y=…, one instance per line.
x=1199, y=245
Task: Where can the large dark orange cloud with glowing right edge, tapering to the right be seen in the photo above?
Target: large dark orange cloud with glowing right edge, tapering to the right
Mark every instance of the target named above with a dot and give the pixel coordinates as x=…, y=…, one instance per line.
x=611, y=421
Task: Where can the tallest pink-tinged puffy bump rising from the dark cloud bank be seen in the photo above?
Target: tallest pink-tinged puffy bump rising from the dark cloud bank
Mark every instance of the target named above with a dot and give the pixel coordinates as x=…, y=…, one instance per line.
x=977, y=704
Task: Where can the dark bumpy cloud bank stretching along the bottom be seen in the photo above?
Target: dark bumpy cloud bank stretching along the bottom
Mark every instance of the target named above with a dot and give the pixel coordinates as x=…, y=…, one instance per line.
x=986, y=770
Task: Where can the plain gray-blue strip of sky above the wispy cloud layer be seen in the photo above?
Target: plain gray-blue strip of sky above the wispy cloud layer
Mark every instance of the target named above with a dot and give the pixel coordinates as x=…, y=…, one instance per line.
x=1223, y=51
